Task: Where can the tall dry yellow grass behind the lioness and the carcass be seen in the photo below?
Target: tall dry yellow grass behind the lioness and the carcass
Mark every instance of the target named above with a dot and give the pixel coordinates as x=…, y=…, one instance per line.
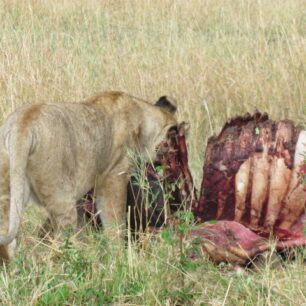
x=218, y=58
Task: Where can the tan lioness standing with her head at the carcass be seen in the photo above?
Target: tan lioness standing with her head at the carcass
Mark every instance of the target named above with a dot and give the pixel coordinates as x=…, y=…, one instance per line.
x=55, y=153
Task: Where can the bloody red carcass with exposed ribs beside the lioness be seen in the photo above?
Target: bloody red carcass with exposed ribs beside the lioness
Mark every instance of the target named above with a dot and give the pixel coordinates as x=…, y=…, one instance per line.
x=253, y=185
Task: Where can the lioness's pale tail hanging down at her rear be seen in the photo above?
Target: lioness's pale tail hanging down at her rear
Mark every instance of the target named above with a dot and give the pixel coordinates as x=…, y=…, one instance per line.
x=19, y=150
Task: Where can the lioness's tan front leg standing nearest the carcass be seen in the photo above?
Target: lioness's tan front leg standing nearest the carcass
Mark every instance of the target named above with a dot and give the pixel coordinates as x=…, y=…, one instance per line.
x=111, y=194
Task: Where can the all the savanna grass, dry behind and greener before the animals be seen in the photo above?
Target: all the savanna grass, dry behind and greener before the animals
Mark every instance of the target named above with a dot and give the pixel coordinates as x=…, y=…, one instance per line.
x=218, y=59
